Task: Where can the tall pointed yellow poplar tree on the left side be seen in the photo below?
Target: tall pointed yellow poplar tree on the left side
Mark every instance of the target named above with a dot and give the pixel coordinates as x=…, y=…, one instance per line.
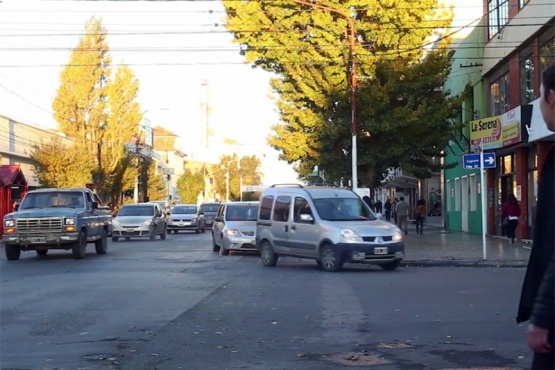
x=99, y=112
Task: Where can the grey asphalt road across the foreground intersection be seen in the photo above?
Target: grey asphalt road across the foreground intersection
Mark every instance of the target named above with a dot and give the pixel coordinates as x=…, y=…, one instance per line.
x=174, y=304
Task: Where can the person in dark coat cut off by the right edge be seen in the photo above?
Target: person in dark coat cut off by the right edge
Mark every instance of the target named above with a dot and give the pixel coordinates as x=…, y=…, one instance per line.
x=538, y=289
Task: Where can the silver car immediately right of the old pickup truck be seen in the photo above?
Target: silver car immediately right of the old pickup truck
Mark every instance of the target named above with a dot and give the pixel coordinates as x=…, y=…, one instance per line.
x=139, y=220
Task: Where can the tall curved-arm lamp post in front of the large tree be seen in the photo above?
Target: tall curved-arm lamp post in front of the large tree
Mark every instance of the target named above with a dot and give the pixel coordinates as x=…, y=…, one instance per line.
x=353, y=78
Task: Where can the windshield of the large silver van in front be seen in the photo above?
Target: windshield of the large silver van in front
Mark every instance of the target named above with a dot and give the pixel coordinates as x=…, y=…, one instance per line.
x=343, y=209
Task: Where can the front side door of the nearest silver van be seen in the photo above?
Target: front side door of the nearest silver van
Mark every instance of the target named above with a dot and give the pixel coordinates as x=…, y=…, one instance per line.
x=304, y=236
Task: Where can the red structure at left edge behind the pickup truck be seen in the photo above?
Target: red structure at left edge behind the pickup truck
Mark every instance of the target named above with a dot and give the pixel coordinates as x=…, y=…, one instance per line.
x=13, y=186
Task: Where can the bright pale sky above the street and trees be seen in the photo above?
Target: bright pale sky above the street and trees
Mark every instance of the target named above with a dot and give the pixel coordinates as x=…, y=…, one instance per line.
x=180, y=53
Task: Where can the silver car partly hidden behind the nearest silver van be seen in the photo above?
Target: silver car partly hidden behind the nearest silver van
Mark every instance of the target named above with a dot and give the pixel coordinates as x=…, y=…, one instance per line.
x=234, y=227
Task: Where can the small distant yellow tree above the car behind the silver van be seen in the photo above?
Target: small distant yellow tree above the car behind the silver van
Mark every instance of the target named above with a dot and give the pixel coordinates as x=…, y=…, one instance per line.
x=245, y=169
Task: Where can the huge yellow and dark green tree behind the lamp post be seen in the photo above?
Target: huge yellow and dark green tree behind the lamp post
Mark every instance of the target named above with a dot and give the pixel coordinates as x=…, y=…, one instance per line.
x=307, y=47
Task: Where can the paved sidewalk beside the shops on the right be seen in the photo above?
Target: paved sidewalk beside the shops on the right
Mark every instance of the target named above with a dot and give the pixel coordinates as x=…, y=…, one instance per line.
x=440, y=247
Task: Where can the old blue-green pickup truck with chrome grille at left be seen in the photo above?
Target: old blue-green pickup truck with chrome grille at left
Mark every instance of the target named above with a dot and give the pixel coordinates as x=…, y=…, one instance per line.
x=57, y=219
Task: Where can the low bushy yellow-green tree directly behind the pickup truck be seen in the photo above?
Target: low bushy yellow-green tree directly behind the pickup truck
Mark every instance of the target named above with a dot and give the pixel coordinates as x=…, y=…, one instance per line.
x=58, y=165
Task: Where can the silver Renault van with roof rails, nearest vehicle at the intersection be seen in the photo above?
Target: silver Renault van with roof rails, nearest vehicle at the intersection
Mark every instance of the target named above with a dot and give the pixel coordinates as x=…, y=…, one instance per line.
x=326, y=224
